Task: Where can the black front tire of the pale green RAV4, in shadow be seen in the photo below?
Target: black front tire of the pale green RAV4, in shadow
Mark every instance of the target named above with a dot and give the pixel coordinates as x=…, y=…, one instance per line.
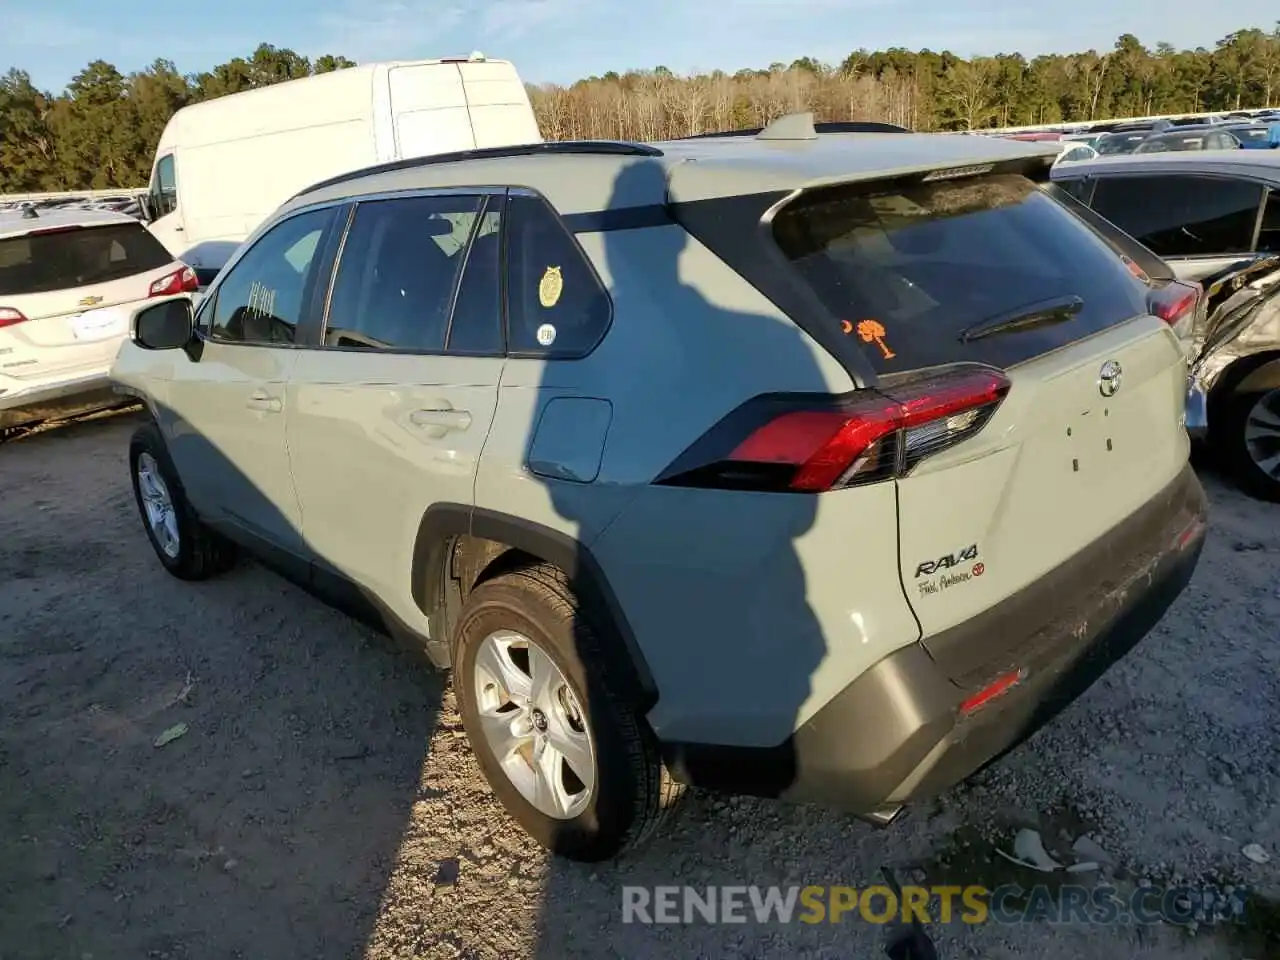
x=195, y=552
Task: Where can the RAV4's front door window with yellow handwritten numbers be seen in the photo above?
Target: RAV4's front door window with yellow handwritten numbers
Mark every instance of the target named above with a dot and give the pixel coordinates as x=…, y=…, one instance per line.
x=264, y=296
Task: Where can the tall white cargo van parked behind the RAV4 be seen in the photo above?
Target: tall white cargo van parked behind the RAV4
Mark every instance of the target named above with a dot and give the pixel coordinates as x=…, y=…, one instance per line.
x=225, y=164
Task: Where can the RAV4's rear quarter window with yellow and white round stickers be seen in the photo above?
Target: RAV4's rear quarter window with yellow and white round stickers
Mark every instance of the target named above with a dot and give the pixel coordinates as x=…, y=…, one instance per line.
x=556, y=307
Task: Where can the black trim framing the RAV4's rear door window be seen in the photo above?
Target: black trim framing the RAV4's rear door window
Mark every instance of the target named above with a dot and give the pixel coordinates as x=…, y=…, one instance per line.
x=486, y=194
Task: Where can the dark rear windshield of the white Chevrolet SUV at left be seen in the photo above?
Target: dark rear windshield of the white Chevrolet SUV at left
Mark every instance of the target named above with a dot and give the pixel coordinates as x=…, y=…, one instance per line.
x=60, y=259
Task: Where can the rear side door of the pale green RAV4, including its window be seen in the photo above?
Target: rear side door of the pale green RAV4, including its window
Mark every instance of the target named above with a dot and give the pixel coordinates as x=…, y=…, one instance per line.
x=391, y=409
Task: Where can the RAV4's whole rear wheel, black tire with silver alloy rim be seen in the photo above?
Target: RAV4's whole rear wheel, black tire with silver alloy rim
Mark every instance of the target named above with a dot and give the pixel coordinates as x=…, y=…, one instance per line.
x=555, y=738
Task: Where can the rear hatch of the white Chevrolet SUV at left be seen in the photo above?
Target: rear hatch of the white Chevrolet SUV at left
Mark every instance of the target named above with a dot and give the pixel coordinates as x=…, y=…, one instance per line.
x=75, y=285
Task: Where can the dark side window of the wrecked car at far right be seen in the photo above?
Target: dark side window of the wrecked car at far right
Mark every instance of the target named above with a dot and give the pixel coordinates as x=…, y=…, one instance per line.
x=1177, y=216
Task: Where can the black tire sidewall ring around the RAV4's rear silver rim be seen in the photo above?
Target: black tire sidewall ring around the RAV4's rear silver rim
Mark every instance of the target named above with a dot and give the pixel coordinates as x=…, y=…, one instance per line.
x=602, y=829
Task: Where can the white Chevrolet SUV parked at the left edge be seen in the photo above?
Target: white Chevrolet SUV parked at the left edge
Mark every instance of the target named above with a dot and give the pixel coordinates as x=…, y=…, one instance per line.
x=68, y=282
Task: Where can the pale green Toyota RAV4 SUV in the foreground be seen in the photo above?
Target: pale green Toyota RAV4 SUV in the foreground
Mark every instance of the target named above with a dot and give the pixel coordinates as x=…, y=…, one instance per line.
x=802, y=464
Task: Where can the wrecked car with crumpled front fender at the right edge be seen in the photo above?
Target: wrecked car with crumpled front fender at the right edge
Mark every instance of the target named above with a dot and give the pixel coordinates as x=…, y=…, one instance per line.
x=1214, y=218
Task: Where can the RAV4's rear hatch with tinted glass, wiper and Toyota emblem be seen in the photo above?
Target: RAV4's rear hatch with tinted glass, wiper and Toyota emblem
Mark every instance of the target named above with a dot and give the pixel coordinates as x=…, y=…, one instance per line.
x=993, y=271
